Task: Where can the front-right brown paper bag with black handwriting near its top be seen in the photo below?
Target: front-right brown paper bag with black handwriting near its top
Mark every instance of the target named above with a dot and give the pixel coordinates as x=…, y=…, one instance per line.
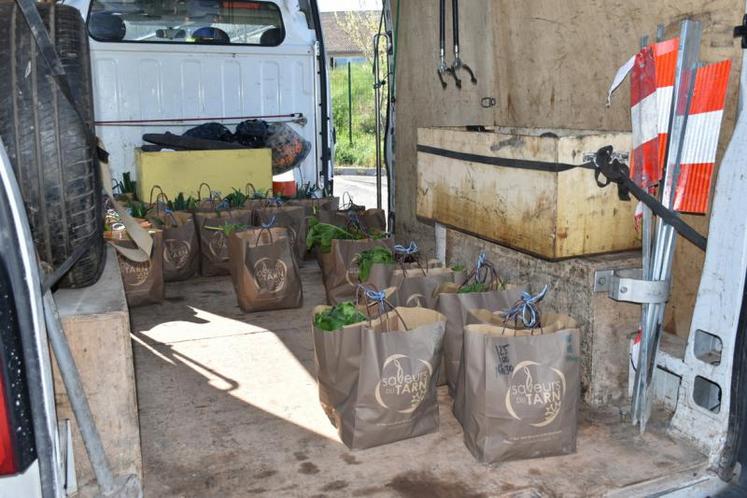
x=521, y=391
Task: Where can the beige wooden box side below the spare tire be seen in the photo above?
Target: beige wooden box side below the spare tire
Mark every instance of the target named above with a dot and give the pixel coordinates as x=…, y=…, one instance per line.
x=97, y=326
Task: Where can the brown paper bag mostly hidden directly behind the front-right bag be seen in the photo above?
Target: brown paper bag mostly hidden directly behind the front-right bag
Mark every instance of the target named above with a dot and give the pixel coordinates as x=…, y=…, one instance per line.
x=454, y=306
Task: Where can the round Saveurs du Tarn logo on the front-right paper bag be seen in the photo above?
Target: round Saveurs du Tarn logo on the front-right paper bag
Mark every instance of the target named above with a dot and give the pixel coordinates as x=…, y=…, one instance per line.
x=535, y=393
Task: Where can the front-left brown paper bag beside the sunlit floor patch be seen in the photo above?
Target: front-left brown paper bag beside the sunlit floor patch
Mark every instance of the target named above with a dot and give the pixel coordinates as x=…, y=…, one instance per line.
x=394, y=396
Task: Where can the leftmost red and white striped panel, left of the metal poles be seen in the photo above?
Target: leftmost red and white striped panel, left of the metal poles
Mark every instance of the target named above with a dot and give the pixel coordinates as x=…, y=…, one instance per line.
x=644, y=116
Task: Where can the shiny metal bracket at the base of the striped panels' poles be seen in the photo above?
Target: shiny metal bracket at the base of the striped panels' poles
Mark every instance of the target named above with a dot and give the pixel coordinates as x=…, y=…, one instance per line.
x=627, y=285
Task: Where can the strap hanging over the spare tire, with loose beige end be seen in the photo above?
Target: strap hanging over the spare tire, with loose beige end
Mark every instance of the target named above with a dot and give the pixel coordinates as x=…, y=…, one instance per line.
x=140, y=236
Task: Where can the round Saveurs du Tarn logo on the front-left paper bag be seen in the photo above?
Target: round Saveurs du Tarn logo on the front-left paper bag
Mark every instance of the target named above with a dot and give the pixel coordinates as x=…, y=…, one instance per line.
x=404, y=383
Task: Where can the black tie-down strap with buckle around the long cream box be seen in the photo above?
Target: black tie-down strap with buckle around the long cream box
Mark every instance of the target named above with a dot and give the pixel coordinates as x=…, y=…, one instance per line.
x=604, y=165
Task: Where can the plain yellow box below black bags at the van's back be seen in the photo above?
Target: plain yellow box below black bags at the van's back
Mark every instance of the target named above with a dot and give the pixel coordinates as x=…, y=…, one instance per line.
x=184, y=171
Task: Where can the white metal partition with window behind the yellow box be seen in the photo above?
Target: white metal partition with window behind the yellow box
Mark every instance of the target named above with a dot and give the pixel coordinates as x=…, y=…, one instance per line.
x=174, y=64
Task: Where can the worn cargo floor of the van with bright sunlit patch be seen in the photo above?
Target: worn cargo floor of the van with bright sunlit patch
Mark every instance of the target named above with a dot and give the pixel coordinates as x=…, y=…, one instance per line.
x=228, y=407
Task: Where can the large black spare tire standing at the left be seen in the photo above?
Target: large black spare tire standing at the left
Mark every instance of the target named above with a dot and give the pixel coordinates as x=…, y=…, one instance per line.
x=46, y=141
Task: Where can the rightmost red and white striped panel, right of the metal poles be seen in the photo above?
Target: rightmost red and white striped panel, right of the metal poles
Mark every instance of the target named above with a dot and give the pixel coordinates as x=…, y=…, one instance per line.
x=701, y=138
